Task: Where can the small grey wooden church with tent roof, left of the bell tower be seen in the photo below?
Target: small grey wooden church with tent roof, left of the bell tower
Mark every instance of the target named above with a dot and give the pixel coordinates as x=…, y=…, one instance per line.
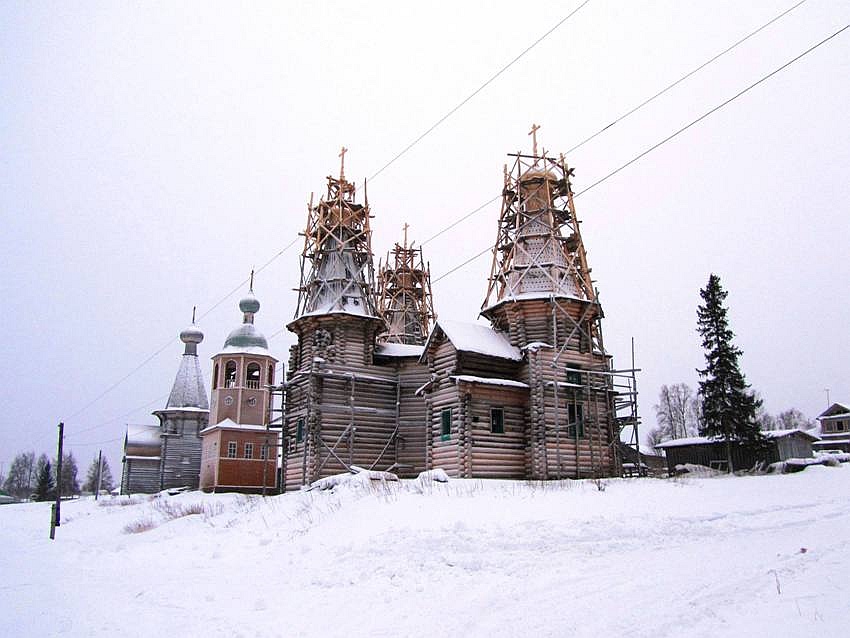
x=169, y=455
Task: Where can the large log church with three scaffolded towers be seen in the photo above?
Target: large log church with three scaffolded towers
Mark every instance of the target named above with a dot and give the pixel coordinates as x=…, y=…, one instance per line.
x=374, y=382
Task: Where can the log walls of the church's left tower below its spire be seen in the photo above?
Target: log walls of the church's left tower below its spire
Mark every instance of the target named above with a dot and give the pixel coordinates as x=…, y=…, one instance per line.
x=354, y=408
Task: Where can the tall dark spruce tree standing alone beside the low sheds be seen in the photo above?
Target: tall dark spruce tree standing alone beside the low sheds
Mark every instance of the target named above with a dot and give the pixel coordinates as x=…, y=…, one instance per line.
x=728, y=408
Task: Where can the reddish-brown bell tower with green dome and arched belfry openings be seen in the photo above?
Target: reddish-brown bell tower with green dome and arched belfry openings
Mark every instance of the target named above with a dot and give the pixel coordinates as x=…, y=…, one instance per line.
x=239, y=451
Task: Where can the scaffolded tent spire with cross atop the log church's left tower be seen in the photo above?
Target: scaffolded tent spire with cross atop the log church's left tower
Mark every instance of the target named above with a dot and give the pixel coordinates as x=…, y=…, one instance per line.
x=337, y=273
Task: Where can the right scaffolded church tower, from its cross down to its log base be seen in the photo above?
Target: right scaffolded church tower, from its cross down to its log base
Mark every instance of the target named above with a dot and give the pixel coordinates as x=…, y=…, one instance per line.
x=541, y=293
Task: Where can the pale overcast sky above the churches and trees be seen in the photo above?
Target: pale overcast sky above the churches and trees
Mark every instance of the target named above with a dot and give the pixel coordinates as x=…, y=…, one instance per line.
x=151, y=154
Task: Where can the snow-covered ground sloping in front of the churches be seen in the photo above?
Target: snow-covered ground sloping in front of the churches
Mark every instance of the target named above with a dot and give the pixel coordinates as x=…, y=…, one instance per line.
x=766, y=555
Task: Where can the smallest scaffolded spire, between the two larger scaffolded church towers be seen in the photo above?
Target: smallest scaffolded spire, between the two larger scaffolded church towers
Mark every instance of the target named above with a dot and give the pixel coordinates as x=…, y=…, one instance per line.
x=405, y=300
